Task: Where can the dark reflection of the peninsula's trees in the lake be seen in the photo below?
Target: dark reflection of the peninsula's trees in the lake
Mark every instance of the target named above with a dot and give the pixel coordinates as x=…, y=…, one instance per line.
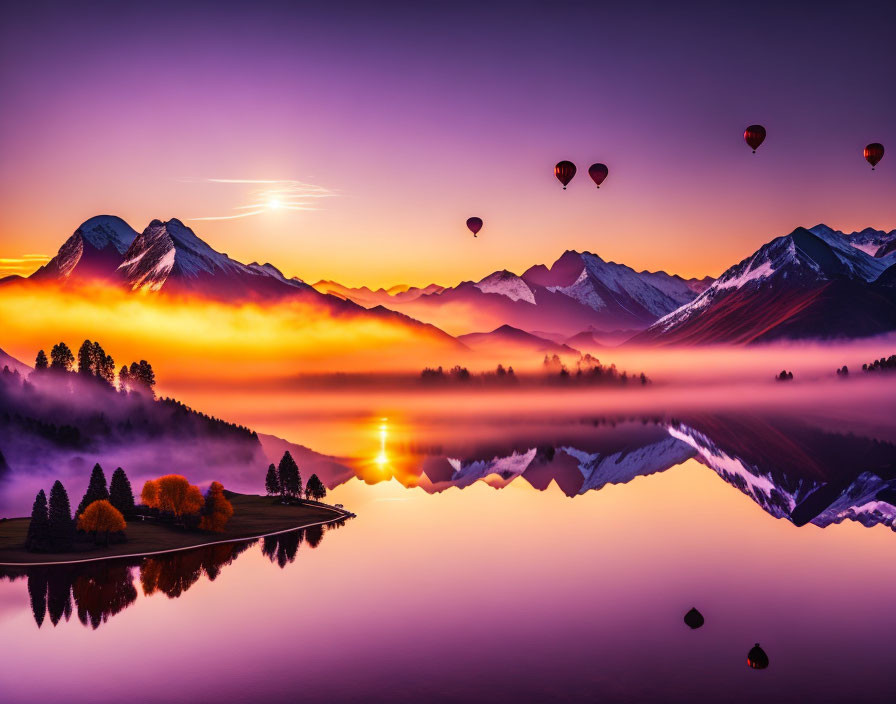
x=99, y=590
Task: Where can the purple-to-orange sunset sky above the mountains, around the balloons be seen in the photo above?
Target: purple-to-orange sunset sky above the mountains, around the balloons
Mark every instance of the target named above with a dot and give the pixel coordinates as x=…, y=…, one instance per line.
x=385, y=125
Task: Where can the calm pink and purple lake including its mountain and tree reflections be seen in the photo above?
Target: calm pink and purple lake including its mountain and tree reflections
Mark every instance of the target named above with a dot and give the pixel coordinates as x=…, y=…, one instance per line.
x=512, y=552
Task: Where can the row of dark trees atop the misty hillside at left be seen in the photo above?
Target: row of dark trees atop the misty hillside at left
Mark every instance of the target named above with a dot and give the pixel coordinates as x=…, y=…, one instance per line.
x=93, y=362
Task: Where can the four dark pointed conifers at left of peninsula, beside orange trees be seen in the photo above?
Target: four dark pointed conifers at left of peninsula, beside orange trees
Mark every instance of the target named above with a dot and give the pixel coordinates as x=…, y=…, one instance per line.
x=53, y=528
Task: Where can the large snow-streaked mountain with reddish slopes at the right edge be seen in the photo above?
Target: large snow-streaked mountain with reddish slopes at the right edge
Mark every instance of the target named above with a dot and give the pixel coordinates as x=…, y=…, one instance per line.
x=812, y=283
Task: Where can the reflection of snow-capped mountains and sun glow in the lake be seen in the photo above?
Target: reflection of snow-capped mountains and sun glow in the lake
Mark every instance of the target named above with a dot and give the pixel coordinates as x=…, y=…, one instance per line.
x=793, y=469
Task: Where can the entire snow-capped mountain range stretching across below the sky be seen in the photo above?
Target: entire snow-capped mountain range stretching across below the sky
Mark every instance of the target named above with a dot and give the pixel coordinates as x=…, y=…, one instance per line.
x=811, y=283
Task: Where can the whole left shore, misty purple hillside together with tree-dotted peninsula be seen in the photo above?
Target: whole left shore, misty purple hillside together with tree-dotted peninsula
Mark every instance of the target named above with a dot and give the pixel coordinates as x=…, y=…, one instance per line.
x=58, y=412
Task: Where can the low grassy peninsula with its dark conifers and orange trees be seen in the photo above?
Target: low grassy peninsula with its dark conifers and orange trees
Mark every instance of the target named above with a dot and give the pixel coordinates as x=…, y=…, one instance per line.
x=172, y=515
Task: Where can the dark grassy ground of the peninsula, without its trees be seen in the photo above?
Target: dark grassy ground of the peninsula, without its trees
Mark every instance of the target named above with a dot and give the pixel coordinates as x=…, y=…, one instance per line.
x=253, y=517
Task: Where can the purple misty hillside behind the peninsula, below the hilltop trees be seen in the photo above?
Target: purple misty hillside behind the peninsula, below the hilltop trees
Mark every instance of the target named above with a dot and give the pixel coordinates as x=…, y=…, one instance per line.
x=57, y=425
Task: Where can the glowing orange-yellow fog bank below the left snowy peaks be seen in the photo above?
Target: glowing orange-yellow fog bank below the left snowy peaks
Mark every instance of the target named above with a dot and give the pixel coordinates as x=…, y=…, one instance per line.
x=189, y=338
